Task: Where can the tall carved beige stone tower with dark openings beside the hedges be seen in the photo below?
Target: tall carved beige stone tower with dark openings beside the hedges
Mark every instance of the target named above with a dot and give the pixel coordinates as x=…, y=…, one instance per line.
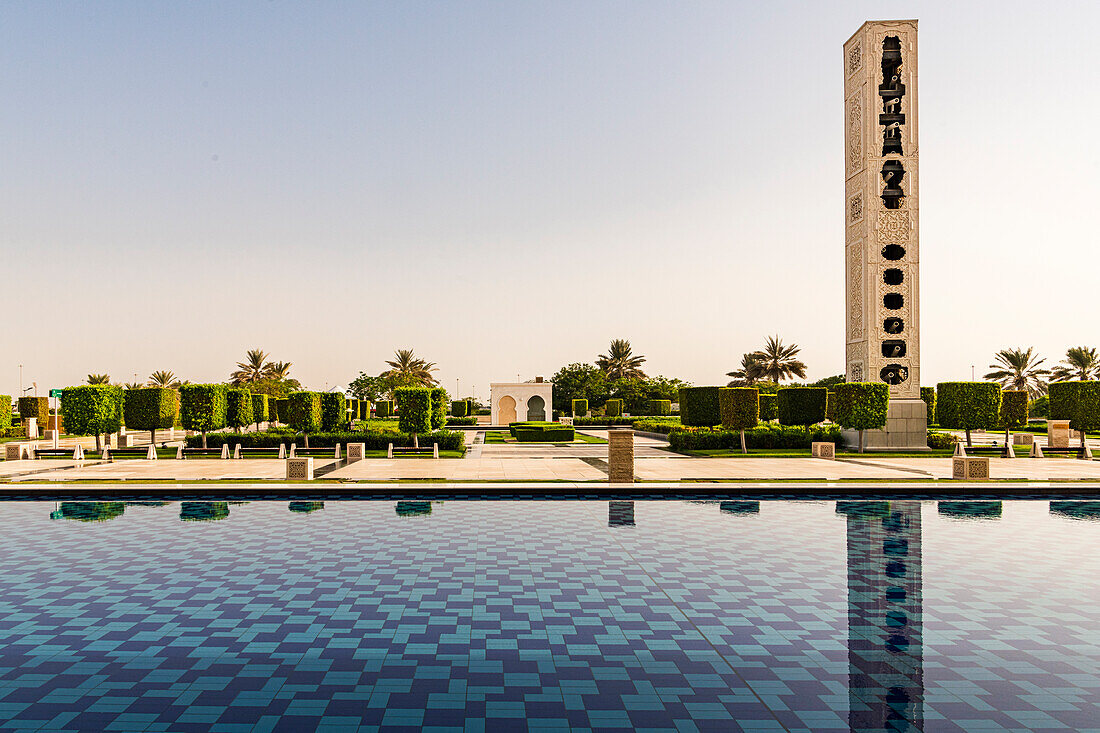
x=882, y=225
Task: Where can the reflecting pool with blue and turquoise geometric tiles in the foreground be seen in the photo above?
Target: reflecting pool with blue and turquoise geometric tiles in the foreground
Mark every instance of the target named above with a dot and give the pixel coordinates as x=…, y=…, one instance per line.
x=728, y=616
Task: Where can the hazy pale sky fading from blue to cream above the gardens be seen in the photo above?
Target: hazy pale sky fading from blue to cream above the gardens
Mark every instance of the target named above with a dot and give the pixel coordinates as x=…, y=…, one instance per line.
x=505, y=188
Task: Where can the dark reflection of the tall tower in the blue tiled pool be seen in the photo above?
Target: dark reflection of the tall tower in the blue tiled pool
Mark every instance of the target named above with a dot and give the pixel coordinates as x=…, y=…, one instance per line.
x=886, y=676
